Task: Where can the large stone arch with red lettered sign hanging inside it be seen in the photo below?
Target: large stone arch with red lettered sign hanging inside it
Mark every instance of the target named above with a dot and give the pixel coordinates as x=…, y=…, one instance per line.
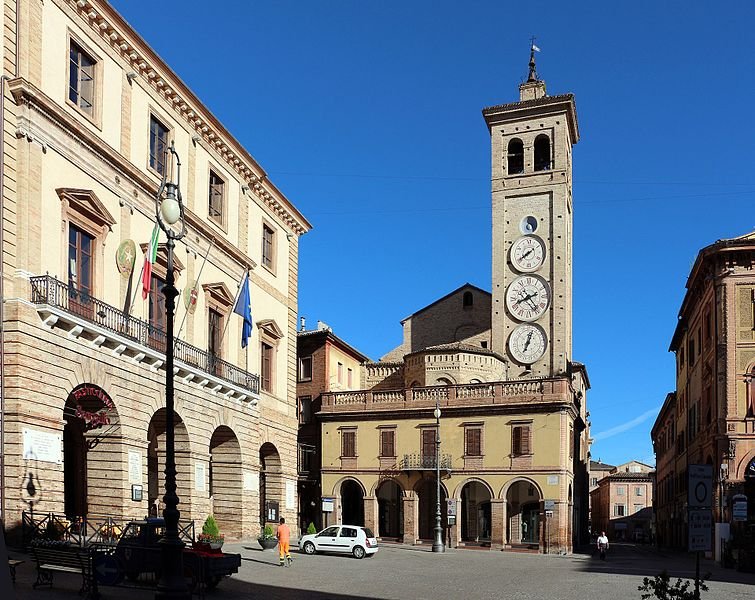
x=91, y=437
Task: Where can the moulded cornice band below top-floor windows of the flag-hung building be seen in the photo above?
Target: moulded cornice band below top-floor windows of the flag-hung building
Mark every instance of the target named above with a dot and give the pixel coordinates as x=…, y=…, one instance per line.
x=25, y=93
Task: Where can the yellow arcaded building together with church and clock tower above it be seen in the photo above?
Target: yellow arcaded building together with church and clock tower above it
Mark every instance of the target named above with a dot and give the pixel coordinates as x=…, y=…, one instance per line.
x=514, y=437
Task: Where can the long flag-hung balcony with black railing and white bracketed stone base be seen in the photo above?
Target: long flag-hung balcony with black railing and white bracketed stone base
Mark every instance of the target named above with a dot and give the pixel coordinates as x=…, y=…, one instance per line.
x=104, y=326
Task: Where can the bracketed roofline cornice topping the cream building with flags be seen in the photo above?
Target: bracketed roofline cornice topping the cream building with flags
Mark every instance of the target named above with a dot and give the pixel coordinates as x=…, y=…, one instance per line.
x=109, y=25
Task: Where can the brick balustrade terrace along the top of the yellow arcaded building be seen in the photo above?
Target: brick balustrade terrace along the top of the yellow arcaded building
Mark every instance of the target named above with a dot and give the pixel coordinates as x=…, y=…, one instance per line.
x=534, y=391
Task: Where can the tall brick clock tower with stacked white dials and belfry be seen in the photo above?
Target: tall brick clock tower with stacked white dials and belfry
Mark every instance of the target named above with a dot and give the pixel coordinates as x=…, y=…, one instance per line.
x=531, y=184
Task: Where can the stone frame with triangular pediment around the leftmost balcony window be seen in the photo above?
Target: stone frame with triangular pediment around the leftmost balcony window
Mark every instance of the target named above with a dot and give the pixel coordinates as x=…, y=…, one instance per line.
x=83, y=209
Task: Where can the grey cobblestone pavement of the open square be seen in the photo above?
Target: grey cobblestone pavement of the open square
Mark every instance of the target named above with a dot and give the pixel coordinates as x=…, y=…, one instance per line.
x=399, y=572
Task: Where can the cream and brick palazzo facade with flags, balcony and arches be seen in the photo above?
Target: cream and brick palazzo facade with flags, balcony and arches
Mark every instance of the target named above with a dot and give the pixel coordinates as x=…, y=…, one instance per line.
x=88, y=110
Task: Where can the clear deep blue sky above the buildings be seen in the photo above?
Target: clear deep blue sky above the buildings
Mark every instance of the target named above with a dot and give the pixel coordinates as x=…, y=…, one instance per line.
x=367, y=116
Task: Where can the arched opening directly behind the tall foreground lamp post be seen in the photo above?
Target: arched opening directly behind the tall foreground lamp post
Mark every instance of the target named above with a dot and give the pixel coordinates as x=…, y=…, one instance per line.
x=156, y=440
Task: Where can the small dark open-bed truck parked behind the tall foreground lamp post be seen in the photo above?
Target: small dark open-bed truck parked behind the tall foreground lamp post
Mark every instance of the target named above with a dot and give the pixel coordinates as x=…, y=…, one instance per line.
x=138, y=550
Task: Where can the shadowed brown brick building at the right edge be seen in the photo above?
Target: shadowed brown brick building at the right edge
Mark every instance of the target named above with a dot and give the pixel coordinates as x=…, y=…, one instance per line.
x=710, y=417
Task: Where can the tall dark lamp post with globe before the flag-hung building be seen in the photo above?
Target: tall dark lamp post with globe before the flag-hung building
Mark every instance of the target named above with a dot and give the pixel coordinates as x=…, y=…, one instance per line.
x=170, y=210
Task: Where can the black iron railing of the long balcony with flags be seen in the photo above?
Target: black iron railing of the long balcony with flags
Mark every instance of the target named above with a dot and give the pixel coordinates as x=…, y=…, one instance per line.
x=46, y=289
